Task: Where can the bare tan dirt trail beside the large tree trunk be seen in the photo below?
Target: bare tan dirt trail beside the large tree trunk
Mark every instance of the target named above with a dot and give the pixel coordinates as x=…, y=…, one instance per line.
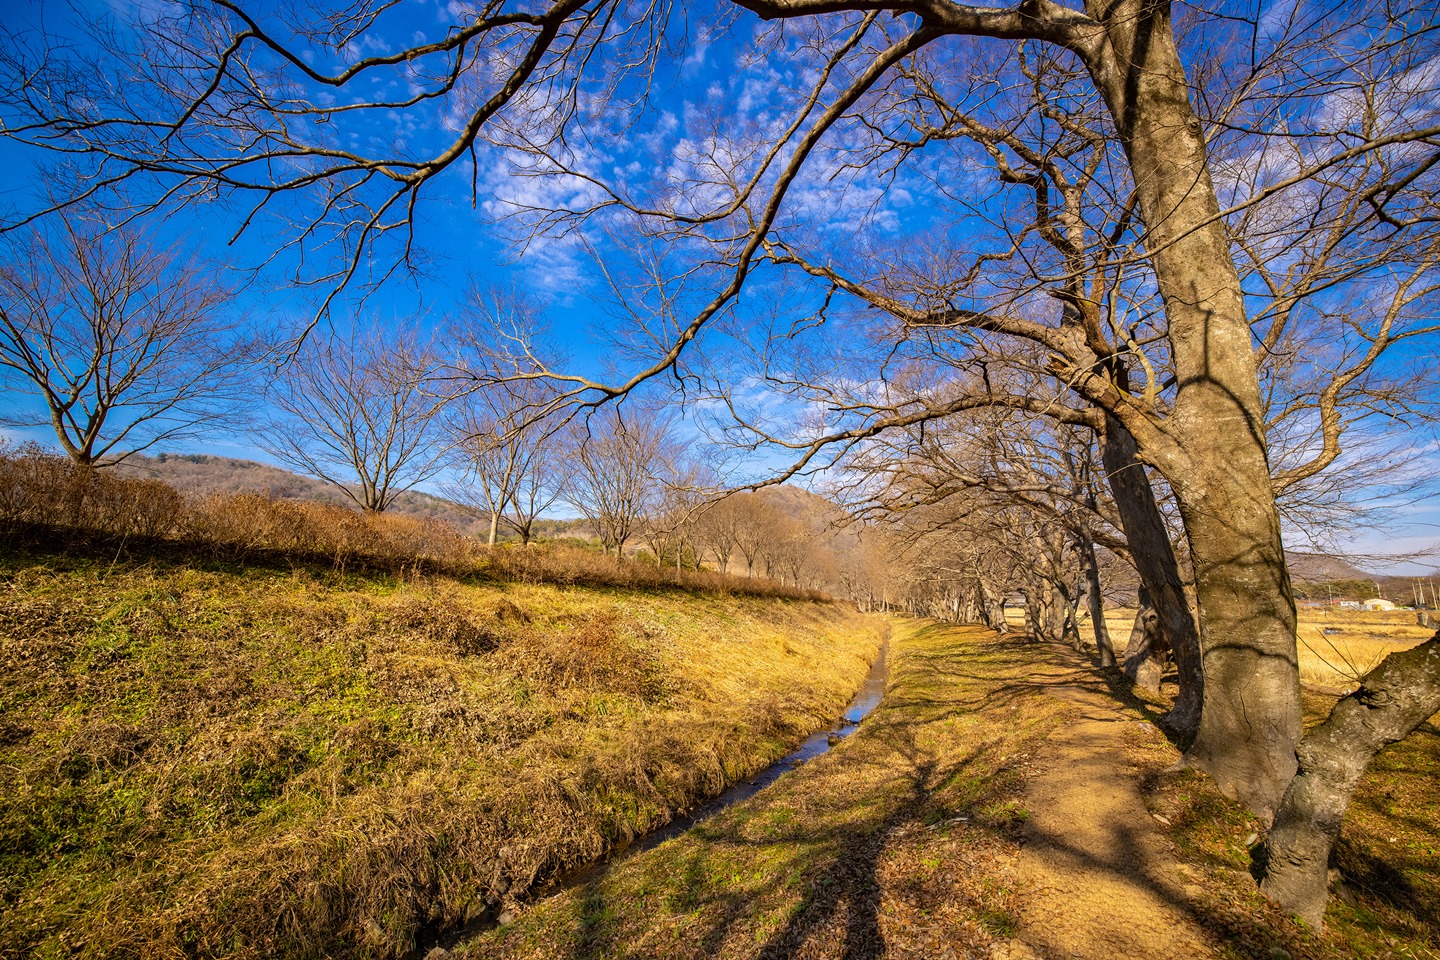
x=1098, y=879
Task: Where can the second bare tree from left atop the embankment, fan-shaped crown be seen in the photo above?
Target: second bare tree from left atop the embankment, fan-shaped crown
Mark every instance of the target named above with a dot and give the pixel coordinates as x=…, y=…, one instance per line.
x=361, y=414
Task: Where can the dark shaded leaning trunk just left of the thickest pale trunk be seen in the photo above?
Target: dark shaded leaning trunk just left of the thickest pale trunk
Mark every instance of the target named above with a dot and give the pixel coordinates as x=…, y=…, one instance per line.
x=1161, y=585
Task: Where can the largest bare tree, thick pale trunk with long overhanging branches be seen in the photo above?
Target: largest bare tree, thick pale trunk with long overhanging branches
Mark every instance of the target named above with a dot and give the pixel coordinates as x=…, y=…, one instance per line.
x=231, y=110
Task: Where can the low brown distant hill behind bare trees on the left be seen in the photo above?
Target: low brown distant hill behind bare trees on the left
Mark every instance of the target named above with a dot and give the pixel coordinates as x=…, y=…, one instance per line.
x=204, y=476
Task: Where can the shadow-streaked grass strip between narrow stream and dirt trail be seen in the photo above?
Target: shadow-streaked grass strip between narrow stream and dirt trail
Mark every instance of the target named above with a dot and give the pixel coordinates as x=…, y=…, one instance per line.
x=898, y=844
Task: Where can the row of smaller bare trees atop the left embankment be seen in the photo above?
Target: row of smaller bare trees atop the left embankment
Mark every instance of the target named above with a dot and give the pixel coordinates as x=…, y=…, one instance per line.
x=129, y=346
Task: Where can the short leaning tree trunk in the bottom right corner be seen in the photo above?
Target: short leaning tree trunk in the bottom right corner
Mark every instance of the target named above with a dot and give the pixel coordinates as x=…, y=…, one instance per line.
x=1392, y=702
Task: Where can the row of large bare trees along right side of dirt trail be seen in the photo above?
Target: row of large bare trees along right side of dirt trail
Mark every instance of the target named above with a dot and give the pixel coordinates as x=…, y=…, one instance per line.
x=1197, y=244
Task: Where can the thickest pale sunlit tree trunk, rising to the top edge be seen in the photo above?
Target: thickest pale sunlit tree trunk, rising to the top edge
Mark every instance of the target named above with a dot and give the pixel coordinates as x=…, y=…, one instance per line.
x=1212, y=447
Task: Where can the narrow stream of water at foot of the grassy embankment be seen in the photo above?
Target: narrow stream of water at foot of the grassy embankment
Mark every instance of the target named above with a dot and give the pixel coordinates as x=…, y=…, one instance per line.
x=872, y=692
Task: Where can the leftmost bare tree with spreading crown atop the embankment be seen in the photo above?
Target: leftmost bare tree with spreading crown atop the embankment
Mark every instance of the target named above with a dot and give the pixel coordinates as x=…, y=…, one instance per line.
x=126, y=343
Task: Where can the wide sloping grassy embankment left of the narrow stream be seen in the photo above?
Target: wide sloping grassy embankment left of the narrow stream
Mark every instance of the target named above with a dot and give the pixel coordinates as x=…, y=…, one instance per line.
x=244, y=759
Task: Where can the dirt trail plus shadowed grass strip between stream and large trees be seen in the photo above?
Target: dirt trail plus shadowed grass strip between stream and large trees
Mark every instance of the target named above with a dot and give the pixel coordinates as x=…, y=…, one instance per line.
x=987, y=810
